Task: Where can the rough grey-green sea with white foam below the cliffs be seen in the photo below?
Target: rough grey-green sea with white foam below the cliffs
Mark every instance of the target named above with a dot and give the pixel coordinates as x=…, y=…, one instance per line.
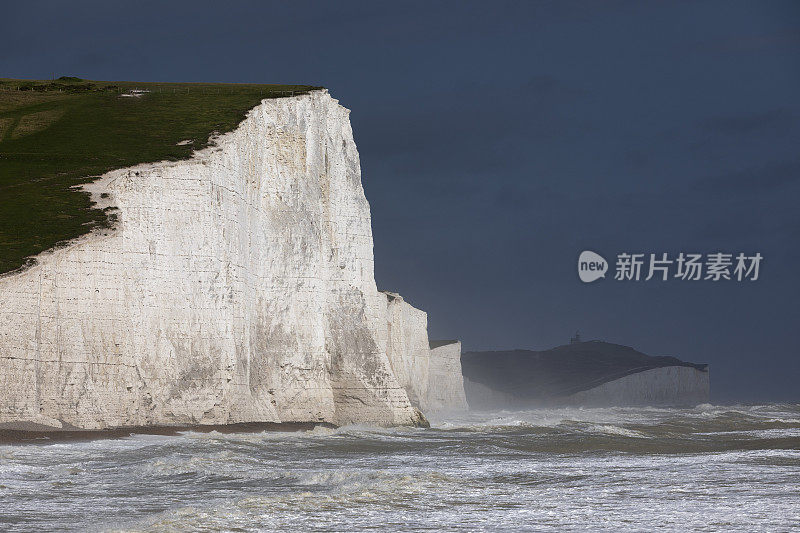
x=708, y=468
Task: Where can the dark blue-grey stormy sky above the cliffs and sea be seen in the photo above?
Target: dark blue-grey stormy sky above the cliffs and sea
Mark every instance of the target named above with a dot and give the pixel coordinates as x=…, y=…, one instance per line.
x=499, y=140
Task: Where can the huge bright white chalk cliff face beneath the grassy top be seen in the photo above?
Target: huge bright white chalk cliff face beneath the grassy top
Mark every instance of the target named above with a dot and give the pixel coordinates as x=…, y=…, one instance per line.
x=236, y=287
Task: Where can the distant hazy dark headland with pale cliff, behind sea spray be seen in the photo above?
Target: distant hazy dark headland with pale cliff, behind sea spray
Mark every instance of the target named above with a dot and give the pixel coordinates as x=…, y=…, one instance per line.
x=590, y=373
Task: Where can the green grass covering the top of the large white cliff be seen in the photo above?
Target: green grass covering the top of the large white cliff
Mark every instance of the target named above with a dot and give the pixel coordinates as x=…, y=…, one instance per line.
x=55, y=135
